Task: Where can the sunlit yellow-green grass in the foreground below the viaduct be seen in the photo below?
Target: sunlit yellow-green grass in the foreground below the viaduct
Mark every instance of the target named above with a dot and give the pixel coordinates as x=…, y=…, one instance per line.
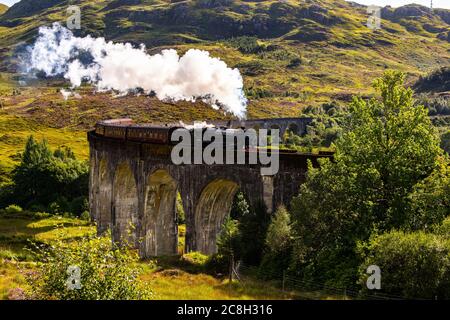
x=168, y=280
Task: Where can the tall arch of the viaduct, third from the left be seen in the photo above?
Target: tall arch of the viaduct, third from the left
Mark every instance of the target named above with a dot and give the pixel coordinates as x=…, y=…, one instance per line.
x=160, y=229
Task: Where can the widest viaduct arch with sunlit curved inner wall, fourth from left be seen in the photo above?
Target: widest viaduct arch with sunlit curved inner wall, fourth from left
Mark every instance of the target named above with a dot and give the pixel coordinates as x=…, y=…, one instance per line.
x=213, y=205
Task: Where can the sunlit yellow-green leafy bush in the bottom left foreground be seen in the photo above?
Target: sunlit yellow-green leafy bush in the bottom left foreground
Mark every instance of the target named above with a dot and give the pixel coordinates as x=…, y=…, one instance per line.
x=108, y=272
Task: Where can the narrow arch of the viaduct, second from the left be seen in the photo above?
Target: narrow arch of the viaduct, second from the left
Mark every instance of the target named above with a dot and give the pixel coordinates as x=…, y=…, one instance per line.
x=125, y=204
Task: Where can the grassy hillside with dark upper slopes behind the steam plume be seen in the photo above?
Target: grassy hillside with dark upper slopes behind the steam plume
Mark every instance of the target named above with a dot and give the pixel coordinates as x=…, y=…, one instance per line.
x=292, y=54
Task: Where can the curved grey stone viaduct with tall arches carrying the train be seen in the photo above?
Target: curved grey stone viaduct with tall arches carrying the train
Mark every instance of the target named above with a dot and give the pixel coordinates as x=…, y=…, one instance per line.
x=133, y=186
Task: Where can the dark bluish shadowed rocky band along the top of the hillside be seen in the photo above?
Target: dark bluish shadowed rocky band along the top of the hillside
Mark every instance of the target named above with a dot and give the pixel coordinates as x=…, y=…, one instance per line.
x=214, y=19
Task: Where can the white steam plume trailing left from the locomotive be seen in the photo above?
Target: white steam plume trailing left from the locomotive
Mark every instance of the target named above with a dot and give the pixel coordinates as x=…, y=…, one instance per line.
x=120, y=67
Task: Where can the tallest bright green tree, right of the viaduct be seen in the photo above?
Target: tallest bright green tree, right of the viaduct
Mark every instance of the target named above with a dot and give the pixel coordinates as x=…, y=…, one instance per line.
x=390, y=145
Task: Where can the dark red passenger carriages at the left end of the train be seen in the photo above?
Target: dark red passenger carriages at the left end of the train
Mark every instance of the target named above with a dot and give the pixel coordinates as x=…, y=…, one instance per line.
x=125, y=129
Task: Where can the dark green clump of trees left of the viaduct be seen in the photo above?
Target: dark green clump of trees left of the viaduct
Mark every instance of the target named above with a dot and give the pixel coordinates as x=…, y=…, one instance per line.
x=55, y=180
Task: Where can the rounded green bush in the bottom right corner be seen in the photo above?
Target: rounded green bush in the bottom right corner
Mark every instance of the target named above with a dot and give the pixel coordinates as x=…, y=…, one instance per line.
x=413, y=265
